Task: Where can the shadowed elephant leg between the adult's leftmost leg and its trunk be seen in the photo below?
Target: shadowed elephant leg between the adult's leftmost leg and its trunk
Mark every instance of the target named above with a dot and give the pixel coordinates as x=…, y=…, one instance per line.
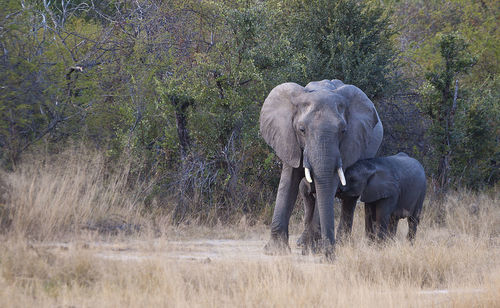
x=311, y=236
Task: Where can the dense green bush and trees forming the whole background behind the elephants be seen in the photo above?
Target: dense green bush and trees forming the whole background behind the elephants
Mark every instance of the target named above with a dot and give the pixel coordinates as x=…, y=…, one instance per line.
x=177, y=86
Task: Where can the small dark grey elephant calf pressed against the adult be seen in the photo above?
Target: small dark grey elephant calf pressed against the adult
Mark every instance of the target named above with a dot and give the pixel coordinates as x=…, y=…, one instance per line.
x=392, y=188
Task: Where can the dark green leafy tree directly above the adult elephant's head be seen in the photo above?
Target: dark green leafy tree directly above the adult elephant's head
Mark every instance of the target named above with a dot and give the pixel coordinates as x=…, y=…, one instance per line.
x=342, y=39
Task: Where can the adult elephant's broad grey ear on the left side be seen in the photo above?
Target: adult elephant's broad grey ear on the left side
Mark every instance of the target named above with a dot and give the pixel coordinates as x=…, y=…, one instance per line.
x=276, y=122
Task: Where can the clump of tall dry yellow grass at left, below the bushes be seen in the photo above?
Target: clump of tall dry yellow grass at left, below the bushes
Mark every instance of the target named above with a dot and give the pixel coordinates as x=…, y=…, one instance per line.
x=53, y=197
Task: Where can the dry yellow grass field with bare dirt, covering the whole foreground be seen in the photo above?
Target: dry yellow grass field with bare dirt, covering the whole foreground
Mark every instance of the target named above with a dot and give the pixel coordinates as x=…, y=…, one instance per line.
x=72, y=237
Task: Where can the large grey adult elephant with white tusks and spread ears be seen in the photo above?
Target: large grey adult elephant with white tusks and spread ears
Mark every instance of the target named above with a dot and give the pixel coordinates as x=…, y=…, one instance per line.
x=317, y=131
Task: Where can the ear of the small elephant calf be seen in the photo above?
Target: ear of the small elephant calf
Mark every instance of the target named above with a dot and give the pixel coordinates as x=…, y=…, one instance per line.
x=380, y=184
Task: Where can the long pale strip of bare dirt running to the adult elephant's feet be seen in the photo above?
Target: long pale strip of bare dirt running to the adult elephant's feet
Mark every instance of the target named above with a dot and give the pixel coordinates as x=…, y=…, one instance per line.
x=187, y=250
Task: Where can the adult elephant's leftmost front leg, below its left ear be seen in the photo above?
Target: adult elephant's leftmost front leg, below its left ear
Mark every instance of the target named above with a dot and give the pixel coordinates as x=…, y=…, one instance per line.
x=285, y=201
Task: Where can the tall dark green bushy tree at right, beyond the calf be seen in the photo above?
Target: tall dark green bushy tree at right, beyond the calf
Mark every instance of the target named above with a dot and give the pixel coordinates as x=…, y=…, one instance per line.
x=463, y=127
